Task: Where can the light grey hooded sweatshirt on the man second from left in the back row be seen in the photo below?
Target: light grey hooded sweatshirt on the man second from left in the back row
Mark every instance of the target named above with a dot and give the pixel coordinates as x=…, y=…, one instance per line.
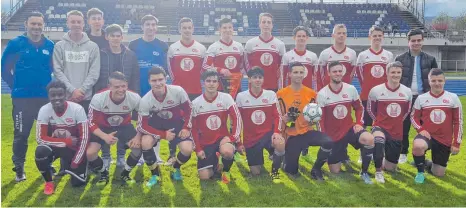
x=77, y=64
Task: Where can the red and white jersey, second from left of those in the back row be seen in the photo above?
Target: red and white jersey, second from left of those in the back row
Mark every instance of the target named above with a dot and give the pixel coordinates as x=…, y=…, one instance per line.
x=221, y=55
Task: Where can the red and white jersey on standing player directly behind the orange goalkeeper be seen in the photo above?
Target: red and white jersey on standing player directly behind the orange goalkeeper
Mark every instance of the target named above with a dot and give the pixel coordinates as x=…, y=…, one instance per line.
x=308, y=59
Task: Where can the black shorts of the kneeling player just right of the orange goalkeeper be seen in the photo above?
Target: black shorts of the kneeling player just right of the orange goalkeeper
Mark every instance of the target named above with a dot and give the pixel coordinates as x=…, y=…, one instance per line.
x=340, y=148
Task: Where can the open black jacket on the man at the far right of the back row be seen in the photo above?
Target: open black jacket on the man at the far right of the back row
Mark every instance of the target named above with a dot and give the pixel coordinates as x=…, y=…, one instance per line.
x=427, y=63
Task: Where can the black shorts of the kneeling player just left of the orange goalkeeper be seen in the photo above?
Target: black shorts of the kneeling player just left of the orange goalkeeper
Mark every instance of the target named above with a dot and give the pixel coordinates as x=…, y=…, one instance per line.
x=255, y=154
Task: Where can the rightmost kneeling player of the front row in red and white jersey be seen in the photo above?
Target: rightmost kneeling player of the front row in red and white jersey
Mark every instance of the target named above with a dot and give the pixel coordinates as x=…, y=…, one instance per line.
x=438, y=117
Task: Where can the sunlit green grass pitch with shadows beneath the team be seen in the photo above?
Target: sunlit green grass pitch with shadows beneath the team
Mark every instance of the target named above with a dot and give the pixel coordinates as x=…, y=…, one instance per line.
x=342, y=190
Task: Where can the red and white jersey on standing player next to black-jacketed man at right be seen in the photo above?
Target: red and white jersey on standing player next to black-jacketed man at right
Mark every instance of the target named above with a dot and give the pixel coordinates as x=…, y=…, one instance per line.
x=371, y=68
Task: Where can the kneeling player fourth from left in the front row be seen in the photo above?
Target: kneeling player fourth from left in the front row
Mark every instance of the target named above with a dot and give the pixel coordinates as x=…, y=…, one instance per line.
x=210, y=131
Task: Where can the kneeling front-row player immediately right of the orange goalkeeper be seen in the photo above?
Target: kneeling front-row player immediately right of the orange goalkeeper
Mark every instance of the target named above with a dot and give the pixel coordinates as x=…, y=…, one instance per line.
x=336, y=100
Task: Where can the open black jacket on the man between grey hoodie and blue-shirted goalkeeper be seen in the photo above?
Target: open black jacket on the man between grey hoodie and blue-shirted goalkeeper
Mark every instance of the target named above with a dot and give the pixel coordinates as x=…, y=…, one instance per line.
x=130, y=68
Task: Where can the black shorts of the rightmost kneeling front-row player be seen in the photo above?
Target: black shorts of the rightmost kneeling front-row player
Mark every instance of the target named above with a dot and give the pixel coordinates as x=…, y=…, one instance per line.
x=440, y=152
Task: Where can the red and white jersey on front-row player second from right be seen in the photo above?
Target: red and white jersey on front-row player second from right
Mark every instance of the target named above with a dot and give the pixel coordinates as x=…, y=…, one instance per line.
x=389, y=107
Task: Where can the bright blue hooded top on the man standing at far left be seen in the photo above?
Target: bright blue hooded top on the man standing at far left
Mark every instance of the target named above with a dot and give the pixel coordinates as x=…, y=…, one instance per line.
x=27, y=66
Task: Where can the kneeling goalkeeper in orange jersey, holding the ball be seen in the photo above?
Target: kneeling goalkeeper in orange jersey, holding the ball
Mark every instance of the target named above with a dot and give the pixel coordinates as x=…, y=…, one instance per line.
x=300, y=132
